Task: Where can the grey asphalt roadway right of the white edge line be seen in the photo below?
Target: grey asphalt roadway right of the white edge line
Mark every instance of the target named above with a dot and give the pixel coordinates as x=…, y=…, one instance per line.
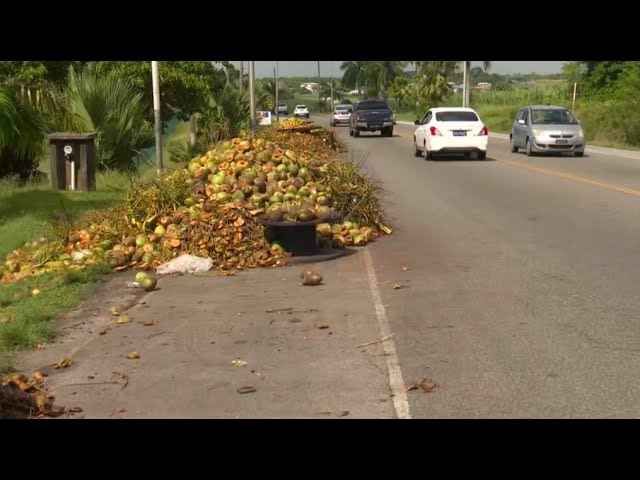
x=522, y=272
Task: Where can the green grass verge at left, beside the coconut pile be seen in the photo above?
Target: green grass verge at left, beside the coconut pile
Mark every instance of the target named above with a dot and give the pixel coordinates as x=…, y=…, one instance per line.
x=27, y=213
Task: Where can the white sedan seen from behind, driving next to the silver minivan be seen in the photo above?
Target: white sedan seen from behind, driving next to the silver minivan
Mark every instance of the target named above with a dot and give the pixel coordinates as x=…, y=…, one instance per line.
x=450, y=130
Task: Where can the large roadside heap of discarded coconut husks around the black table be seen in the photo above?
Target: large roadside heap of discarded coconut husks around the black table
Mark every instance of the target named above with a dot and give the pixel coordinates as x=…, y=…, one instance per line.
x=209, y=209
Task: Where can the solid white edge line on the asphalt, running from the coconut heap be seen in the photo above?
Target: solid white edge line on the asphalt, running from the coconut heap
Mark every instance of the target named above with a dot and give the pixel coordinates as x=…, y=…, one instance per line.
x=396, y=382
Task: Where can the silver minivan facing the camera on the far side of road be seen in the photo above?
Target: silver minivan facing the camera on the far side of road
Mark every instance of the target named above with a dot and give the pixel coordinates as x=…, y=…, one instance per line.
x=545, y=129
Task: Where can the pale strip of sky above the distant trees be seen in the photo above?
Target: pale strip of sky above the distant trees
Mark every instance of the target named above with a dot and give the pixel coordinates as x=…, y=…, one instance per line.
x=299, y=68
